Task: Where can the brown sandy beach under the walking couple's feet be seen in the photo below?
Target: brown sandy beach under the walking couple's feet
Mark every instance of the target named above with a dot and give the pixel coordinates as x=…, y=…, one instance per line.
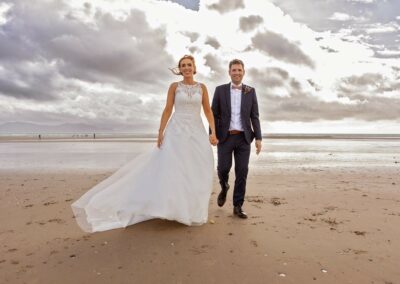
x=321, y=223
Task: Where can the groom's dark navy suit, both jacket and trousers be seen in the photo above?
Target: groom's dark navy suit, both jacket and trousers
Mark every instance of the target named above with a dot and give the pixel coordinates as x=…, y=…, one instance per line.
x=239, y=144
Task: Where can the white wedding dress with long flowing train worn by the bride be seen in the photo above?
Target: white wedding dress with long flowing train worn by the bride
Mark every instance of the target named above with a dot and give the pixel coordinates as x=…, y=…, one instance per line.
x=173, y=183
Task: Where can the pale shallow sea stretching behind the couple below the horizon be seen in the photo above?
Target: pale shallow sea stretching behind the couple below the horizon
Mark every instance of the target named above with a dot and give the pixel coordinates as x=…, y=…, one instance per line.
x=109, y=151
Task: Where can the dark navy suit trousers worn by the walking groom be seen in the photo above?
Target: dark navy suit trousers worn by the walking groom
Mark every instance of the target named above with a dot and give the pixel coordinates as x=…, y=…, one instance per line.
x=237, y=146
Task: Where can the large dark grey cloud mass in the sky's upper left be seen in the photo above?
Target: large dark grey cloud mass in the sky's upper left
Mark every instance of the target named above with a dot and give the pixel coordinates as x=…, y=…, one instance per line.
x=38, y=55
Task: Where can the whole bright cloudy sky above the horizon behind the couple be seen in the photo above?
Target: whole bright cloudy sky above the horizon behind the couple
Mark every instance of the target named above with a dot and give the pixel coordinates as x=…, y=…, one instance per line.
x=318, y=66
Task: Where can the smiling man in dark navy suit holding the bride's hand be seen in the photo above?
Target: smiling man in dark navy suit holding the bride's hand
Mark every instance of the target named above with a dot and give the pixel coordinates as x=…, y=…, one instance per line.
x=235, y=111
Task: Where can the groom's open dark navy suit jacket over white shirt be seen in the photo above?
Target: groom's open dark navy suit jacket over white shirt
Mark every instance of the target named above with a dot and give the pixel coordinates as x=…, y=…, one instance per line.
x=221, y=107
